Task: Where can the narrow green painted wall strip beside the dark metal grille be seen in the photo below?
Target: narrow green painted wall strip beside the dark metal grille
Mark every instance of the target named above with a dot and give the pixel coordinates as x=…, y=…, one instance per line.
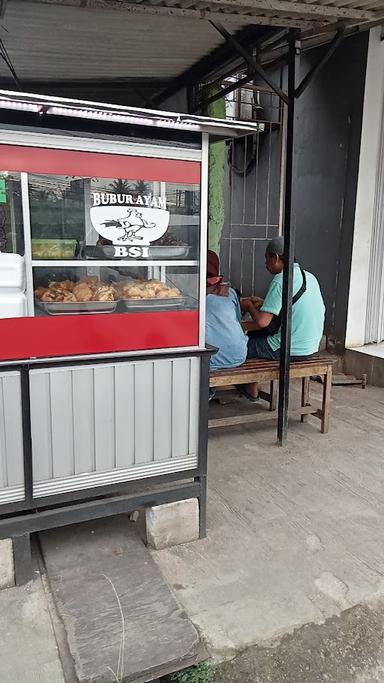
x=216, y=178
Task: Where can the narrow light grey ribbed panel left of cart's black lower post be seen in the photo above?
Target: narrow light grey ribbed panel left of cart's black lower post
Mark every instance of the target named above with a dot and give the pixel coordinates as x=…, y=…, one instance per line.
x=11, y=439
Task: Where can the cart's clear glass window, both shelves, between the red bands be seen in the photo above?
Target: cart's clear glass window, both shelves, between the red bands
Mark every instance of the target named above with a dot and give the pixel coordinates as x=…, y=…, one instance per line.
x=101, y=245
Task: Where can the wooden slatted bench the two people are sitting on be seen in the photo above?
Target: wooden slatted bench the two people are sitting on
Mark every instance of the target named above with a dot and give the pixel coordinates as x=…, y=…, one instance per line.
x=260, y=371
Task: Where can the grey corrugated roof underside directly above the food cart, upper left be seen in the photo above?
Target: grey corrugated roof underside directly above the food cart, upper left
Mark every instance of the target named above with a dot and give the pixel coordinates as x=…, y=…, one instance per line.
x=62, y=42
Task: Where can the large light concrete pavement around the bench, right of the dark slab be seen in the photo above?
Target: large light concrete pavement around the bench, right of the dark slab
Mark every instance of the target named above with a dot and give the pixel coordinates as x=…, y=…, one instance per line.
x=294, y=534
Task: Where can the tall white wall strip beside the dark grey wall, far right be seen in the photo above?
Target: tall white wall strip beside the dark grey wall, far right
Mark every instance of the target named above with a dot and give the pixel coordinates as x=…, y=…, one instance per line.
x=372, y=115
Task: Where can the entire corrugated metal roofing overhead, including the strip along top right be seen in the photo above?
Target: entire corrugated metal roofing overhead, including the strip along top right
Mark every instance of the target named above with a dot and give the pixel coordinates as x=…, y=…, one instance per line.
x=112, y=39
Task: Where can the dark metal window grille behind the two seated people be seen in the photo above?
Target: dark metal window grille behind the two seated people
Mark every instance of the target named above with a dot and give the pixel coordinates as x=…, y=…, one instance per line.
x=254, y=187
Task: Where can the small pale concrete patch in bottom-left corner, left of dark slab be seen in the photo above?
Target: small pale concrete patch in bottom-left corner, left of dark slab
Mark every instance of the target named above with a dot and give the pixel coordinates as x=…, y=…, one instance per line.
x=28, y=651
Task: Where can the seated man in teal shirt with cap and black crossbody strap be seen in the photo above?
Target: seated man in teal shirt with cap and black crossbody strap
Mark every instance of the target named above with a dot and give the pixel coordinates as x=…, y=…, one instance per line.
x=307, y=313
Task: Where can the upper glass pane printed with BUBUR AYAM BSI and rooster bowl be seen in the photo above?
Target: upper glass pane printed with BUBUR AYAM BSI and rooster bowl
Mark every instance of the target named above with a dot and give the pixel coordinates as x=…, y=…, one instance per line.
x=106, y=218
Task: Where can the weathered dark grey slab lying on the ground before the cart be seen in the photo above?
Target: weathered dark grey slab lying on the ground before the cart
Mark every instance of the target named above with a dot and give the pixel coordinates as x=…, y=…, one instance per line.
x=111, y=595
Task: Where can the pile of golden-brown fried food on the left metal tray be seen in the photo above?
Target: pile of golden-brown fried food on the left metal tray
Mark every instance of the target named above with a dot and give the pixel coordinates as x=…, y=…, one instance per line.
x=86, y=289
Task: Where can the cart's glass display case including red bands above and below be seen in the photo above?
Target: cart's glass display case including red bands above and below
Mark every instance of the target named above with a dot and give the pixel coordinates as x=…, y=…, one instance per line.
x=96, y=245
